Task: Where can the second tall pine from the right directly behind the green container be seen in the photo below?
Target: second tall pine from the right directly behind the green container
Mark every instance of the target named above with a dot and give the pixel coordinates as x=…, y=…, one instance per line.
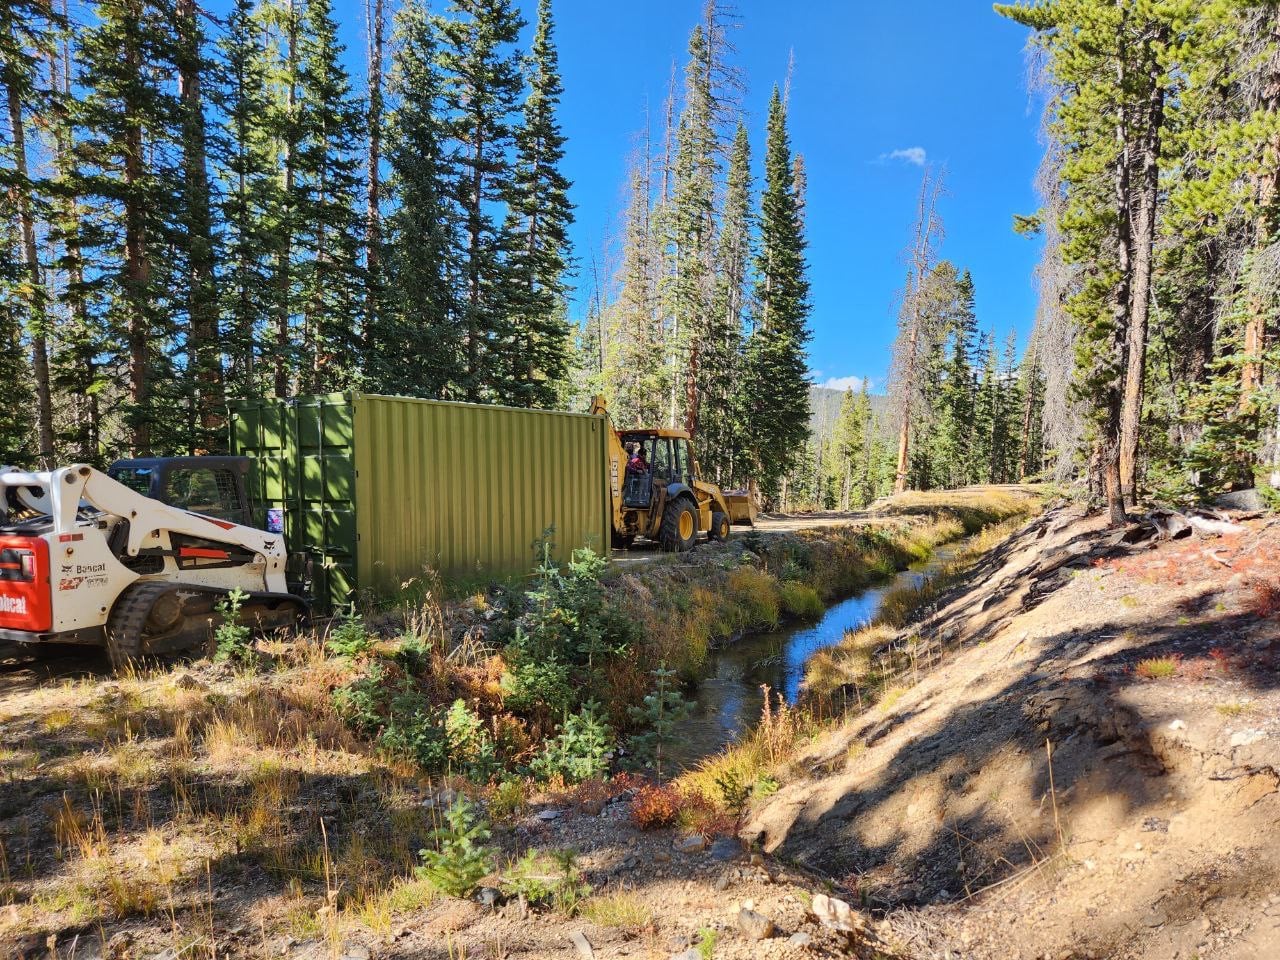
x=483, y=83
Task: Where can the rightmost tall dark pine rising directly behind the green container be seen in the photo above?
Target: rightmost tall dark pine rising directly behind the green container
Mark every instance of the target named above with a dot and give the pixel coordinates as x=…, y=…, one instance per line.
x=540, y=218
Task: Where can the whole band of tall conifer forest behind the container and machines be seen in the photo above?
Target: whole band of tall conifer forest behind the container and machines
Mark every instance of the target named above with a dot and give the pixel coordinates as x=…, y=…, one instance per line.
x=204, y=205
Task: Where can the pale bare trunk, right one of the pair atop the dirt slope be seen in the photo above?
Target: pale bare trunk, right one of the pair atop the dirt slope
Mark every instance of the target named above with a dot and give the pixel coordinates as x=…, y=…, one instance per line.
x=1140, y=308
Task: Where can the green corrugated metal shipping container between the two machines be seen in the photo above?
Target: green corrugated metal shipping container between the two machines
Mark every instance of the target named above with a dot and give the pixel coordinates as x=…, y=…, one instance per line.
x=377, y=490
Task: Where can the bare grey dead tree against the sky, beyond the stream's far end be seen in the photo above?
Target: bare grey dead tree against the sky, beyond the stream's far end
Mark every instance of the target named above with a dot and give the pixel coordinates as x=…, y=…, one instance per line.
x=913, y=339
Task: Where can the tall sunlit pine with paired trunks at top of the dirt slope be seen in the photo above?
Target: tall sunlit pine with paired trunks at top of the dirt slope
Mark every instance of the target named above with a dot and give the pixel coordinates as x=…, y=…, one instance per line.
x=1112, y=63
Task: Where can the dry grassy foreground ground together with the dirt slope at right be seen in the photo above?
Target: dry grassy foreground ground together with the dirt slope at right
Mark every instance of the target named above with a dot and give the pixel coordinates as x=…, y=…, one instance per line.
x=205, y=812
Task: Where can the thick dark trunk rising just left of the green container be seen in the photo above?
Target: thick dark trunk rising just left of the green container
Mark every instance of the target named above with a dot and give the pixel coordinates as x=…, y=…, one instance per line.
x=204, y=351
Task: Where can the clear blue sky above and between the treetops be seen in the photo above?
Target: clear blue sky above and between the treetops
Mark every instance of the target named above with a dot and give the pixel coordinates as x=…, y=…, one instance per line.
x=941, y=77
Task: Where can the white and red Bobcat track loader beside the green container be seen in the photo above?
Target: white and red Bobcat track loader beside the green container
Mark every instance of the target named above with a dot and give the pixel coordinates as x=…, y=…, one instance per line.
x=89, y=560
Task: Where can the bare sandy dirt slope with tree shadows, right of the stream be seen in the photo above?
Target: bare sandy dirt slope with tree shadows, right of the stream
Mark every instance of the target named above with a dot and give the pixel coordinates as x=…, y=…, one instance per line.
x=1153, y=834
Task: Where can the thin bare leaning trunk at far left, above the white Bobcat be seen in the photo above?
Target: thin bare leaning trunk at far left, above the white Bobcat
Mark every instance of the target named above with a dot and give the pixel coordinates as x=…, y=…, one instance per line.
x=38, y=295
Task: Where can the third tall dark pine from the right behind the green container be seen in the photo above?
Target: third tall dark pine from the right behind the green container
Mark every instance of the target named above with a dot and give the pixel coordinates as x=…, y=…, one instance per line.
x=417, y=350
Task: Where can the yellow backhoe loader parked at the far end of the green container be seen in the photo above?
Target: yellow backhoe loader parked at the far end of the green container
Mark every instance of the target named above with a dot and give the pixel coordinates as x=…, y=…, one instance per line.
x=659, y=495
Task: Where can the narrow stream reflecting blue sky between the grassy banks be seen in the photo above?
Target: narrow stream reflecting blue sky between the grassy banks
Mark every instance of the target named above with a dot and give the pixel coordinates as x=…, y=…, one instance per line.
x=728, y=703
